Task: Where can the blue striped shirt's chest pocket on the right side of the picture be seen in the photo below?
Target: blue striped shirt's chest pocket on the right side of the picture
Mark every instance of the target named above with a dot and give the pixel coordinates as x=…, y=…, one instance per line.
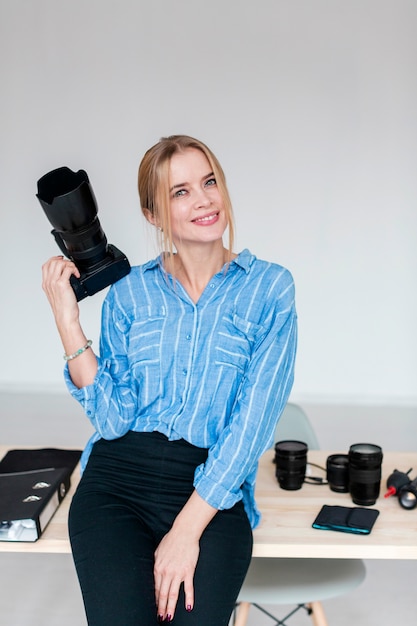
x=236, y=340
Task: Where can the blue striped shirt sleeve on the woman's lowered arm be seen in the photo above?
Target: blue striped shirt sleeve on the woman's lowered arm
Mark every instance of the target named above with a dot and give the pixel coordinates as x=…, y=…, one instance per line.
x=263, y=395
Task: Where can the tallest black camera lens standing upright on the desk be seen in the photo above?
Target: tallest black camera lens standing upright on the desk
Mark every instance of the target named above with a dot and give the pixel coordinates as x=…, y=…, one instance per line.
x=365, y=461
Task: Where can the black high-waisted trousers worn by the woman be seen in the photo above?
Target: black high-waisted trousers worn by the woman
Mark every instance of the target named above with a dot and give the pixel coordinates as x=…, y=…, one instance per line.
x=128, y=497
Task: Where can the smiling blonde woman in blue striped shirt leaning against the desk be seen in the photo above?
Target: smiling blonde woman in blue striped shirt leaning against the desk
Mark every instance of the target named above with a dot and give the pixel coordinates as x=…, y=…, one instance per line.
x=196, y=364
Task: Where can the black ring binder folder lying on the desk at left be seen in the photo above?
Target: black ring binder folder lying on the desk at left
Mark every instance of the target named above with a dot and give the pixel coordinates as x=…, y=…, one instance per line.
x=33, y=483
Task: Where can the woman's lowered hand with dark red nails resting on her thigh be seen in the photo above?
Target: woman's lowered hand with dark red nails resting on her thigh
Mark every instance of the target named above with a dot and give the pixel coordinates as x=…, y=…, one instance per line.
x=175, y=562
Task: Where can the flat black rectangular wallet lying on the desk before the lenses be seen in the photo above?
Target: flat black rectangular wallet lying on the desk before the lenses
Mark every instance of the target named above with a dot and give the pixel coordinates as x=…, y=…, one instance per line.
x=345, y=519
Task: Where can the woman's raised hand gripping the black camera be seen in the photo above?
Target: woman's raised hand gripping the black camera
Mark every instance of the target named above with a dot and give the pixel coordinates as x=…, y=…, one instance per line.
x=56, y=274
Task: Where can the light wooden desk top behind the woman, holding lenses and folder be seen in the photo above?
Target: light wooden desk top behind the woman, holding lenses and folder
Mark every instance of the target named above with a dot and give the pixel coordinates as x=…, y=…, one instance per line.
x=285, y=530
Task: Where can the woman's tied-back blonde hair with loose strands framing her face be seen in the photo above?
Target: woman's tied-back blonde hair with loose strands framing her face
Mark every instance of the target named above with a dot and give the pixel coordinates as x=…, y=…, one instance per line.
x=153, y=185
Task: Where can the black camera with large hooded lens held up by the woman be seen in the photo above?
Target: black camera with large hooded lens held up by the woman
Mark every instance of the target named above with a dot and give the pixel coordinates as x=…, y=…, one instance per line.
x=70, y=205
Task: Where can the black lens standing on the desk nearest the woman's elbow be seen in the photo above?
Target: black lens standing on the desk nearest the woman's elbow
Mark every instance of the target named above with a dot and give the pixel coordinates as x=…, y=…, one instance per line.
x=291, y=463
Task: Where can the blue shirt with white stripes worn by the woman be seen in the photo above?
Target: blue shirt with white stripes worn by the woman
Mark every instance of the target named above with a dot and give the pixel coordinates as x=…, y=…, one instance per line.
x=217, y=373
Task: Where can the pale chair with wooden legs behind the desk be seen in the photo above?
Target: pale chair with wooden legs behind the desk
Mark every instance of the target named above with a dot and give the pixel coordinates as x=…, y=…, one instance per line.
x=303, y=582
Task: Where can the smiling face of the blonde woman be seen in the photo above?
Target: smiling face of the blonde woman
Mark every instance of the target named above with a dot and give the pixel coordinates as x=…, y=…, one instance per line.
x=197, y=210
